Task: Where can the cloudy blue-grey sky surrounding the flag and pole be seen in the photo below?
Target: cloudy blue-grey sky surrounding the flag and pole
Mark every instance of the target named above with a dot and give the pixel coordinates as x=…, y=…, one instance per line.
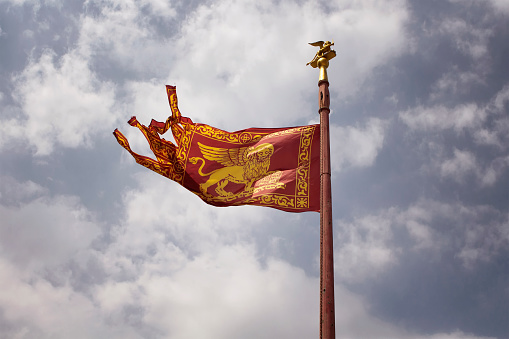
x=93, y=245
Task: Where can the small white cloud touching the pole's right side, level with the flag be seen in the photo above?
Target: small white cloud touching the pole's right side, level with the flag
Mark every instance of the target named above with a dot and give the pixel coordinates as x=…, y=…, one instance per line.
x=356, y=146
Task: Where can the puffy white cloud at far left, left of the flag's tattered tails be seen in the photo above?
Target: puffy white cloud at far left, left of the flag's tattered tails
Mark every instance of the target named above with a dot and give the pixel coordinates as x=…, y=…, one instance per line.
x=64, y=104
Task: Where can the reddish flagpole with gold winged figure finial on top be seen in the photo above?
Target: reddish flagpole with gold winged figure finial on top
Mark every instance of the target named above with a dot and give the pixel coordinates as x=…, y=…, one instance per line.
x=327, y=312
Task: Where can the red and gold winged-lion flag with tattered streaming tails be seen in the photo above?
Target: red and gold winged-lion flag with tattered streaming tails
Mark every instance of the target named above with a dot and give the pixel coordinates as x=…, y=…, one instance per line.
x=273, y=167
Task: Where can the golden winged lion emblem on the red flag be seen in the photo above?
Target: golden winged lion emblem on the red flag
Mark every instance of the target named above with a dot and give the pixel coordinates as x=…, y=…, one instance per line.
x=243, y=165
